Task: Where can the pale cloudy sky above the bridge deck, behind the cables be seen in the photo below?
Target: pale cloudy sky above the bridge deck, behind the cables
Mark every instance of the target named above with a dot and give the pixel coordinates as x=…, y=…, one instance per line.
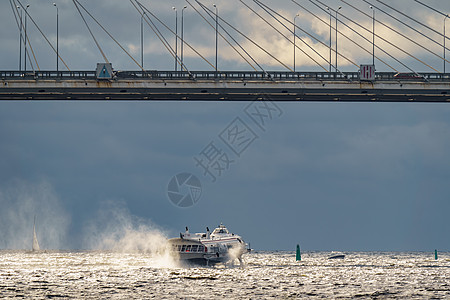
x=122, y=20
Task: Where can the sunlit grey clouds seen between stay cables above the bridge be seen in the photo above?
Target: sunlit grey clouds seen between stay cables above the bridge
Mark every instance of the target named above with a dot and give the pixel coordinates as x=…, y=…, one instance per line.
x=122, y=20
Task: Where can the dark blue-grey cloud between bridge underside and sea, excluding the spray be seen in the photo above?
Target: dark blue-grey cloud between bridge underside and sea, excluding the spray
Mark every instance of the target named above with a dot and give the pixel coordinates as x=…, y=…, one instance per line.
x=332, y=176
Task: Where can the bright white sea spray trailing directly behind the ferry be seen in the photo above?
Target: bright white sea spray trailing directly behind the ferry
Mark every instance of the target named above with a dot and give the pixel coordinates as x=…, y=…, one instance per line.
x=116, y=229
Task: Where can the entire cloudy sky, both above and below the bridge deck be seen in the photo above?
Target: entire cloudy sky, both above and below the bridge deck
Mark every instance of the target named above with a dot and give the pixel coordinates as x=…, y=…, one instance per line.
x=327, y=176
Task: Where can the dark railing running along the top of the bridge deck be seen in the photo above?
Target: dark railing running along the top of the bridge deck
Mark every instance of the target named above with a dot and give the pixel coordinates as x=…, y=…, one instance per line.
x=222, y=75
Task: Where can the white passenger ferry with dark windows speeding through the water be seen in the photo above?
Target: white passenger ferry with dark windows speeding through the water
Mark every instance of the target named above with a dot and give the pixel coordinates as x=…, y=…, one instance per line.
x=209, y=248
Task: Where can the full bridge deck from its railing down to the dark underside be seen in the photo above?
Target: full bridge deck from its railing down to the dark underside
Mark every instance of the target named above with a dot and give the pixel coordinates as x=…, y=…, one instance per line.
x=223, y=86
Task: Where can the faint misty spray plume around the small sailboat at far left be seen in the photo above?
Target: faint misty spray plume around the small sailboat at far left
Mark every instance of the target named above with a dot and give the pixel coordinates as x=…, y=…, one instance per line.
x=20, y=202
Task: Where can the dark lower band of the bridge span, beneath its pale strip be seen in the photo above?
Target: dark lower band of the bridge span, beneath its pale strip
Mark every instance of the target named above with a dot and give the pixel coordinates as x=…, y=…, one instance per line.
x=226, y=94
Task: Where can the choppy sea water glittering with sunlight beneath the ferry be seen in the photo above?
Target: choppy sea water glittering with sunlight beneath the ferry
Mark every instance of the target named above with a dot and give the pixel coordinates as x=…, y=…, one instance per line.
x=266, y=275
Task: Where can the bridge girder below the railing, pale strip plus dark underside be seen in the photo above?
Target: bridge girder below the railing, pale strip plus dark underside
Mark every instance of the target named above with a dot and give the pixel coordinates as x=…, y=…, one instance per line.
x=228, y=90
